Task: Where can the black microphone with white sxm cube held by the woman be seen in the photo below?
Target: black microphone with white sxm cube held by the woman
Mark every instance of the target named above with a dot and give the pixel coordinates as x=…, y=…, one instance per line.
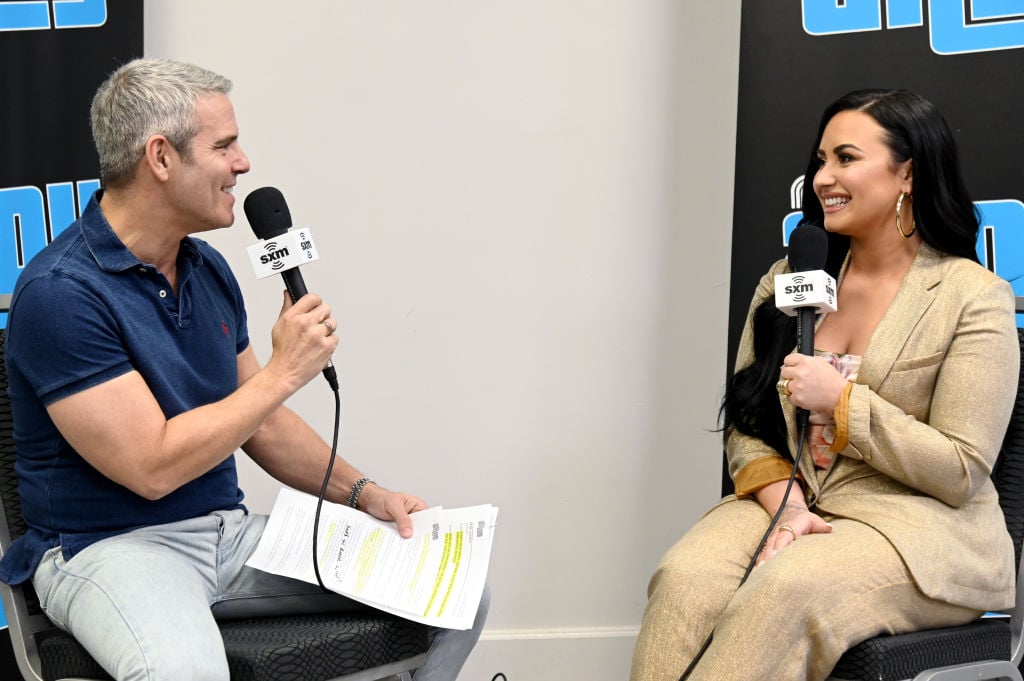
x=807, y=290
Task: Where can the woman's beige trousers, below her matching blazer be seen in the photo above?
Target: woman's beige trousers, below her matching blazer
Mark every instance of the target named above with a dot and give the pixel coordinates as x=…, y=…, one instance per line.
x=795, y=616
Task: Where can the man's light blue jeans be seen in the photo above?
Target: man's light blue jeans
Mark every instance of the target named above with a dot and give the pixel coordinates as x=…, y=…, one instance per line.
x=144, y=604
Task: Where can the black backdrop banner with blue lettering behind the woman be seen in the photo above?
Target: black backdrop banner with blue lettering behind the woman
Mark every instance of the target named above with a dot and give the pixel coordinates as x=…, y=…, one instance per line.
x=799, y=56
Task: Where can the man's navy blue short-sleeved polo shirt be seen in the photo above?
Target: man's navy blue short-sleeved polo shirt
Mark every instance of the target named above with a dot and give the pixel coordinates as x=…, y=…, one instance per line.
x=87, y=311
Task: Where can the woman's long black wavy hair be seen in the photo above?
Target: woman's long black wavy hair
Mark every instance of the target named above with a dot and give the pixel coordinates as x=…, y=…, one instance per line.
x=944, y=214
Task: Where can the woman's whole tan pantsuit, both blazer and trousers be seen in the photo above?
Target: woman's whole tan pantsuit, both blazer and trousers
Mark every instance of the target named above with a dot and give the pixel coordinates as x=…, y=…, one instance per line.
x=919, y=539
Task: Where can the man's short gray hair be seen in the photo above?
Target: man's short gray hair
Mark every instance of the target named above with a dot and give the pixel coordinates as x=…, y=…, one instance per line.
x=143, y=99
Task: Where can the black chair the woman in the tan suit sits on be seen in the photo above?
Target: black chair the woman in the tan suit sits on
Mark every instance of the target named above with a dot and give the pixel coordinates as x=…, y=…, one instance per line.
x=989, y=649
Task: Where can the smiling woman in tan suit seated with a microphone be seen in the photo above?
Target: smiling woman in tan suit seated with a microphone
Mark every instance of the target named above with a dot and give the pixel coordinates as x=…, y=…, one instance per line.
x=893, y=524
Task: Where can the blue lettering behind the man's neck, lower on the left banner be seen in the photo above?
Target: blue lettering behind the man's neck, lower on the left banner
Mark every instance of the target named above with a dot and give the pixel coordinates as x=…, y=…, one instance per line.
x=28, y=224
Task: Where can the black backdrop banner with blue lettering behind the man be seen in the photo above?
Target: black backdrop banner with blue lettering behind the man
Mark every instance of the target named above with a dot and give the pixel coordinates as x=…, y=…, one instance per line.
x=54, y=56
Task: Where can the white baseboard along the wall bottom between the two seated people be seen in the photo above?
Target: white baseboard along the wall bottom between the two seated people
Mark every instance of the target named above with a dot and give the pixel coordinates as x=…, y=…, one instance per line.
x=594, y=655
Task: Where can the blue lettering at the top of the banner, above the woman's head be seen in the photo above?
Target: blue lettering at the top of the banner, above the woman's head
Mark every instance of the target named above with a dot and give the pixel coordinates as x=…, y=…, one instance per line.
x=957, y=27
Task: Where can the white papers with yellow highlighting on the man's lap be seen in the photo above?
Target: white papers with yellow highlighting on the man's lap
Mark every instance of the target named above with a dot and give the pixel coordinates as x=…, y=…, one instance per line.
x=437, y=577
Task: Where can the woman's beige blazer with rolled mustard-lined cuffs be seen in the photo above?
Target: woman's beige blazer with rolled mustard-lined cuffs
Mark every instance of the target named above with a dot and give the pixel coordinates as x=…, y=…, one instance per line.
x=928, y=413
